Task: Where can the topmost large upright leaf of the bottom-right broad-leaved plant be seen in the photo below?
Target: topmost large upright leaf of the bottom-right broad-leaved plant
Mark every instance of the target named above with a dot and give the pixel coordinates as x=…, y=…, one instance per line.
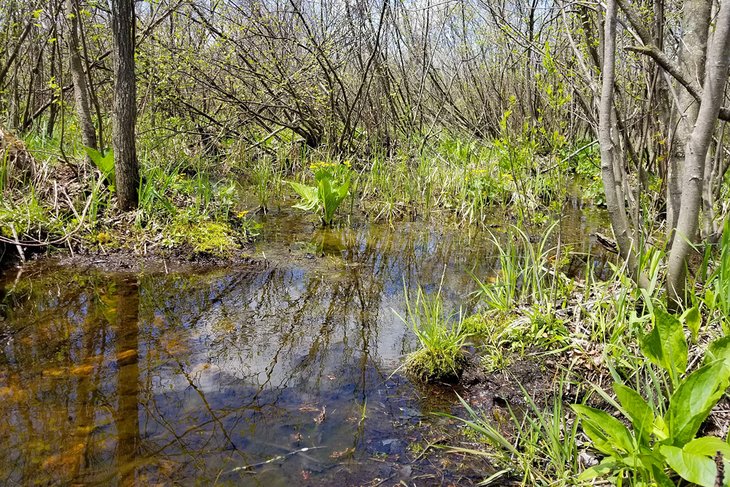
x=665, y=345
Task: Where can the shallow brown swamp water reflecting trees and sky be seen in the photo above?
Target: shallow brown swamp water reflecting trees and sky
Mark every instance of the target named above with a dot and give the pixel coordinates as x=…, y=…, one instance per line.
x=276, y=374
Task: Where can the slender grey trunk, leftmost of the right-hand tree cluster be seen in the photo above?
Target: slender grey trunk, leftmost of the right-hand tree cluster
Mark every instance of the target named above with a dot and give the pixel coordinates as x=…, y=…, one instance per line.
x=611, y=171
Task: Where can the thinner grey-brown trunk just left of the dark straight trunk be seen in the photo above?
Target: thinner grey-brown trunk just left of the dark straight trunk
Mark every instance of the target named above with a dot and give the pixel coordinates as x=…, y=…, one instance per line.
x=81, y=90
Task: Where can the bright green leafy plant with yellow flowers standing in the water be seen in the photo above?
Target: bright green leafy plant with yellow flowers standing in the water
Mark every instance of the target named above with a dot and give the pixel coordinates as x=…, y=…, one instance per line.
x=332, y=186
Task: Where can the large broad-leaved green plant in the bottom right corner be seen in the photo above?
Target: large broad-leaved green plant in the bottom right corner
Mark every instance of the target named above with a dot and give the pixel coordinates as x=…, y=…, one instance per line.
x=663, y=431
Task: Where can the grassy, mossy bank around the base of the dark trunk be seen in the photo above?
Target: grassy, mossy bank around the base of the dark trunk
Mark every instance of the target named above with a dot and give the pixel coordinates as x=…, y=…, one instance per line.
x=185, y=201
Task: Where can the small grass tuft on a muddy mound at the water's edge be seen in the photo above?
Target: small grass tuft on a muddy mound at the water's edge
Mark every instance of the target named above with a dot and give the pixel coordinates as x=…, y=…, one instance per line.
x=441, y=357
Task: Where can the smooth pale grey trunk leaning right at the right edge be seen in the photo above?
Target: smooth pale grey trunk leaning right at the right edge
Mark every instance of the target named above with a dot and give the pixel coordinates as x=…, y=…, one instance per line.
x=718, y=61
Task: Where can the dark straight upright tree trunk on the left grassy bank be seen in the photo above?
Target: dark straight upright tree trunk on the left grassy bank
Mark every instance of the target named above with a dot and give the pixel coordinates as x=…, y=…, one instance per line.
x=125, y=105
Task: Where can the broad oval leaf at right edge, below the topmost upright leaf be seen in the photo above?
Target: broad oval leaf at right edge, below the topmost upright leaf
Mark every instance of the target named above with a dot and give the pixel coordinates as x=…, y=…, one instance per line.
x=694, y=399
